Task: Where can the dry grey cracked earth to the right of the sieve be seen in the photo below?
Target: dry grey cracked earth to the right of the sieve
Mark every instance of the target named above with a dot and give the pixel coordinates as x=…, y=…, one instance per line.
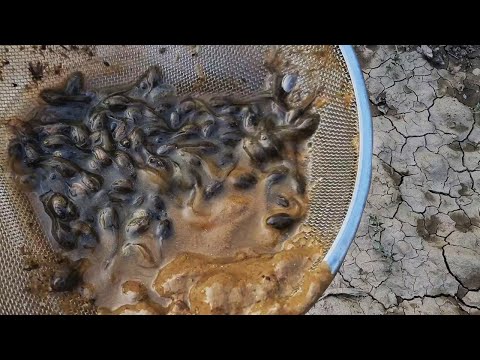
x=417, y=250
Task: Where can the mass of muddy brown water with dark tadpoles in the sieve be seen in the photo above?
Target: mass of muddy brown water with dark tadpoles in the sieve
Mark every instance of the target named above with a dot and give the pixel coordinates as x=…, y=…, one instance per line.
x=169, y=204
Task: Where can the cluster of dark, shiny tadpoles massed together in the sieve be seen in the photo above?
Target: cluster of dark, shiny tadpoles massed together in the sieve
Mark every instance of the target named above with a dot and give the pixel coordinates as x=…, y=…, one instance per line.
x=81, y=153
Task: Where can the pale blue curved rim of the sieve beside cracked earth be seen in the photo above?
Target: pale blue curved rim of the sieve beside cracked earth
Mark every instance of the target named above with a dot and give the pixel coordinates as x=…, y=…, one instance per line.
x=337, y=252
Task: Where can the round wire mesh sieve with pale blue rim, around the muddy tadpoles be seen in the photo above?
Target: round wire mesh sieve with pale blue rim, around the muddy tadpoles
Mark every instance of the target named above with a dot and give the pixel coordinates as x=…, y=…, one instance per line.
x=339, y=166
